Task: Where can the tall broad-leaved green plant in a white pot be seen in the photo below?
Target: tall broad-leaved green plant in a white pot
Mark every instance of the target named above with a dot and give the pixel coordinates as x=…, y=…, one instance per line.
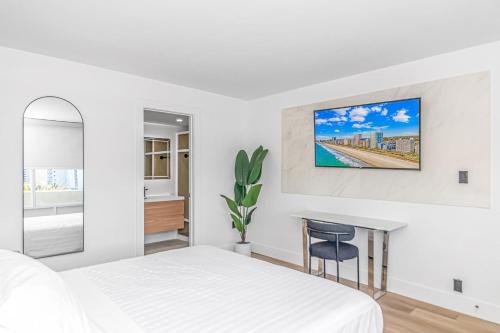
x=246, y=193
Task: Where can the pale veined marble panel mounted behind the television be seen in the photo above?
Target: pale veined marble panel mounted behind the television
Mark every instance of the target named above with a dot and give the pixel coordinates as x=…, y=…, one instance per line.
x=464, y=98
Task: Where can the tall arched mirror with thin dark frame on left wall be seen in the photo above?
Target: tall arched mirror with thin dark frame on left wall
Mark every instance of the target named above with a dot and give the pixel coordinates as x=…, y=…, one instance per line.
x=53, y=178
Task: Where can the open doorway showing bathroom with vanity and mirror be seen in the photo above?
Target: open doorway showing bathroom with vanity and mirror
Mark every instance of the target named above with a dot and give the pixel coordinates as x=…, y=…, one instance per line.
x=167, y=181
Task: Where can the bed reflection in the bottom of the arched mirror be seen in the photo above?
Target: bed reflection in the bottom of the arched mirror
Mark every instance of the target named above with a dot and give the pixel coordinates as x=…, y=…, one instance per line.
x=54, y=234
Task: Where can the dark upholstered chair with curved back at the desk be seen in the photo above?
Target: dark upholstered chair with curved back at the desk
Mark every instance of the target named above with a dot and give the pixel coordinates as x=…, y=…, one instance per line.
x=333, y=246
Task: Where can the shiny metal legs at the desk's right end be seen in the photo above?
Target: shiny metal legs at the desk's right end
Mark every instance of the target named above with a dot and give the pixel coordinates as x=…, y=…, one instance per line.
x=376, y=294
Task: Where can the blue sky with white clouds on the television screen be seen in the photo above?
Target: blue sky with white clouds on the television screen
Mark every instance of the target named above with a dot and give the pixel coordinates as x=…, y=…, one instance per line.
x=397, y=118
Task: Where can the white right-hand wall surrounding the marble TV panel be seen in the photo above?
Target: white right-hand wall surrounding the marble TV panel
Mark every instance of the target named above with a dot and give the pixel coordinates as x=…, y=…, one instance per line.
x=440, y=243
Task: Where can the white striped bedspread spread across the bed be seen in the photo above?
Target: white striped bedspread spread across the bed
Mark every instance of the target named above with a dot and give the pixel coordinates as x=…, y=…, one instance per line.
x=206, y=289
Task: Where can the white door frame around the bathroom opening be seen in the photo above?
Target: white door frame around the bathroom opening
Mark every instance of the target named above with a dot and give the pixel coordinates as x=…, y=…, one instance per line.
x=184, y=111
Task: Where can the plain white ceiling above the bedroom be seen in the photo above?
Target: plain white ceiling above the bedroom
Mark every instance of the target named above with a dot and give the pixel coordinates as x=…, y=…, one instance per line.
x=246, y=49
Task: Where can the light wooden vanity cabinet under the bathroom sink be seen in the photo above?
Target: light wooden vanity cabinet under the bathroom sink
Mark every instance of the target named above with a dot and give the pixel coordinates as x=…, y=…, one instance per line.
x=163, y=216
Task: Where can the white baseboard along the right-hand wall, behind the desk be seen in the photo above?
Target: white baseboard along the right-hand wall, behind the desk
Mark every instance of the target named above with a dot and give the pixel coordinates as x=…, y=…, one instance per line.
x=449, y=300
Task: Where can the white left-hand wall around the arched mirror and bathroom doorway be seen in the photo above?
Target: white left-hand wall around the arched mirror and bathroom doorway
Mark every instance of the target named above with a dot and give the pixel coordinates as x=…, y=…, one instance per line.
x=111, y=105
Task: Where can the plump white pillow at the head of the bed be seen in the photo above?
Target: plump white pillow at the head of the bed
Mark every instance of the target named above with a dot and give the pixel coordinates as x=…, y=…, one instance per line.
x=34, y=298
